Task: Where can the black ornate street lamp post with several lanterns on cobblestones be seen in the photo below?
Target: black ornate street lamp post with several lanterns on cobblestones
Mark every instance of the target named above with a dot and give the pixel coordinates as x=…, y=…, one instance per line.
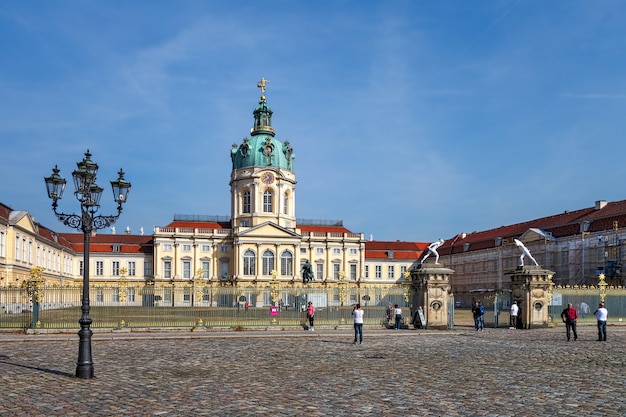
x=88, y=194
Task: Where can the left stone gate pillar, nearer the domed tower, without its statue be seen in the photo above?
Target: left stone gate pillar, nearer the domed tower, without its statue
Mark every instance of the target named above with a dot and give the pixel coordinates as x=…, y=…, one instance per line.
x=431, y=285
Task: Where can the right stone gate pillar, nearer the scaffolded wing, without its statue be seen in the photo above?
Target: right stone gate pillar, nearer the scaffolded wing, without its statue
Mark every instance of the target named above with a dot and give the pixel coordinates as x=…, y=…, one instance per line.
x=530, y=287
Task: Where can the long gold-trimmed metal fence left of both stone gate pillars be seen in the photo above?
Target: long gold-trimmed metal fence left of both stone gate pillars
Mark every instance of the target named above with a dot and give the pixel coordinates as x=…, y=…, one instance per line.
x=189, y=306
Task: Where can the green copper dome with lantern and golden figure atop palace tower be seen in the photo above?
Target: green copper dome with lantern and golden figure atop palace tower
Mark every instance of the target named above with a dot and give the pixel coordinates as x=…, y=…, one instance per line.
x=262, y=149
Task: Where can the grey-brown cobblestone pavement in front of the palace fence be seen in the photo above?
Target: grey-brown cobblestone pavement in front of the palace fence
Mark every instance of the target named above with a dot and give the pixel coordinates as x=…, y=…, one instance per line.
x=497, y=372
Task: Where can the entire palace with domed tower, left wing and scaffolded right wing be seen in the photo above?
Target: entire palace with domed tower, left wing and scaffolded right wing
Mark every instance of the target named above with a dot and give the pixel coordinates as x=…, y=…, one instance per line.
x=262, y=241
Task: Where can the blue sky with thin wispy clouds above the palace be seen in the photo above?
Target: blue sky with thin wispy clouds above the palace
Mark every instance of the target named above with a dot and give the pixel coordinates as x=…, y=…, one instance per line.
x=410, y=120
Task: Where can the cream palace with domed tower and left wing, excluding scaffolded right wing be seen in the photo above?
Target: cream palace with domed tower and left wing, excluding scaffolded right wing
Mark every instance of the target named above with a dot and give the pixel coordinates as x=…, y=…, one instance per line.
x=261, y=241
